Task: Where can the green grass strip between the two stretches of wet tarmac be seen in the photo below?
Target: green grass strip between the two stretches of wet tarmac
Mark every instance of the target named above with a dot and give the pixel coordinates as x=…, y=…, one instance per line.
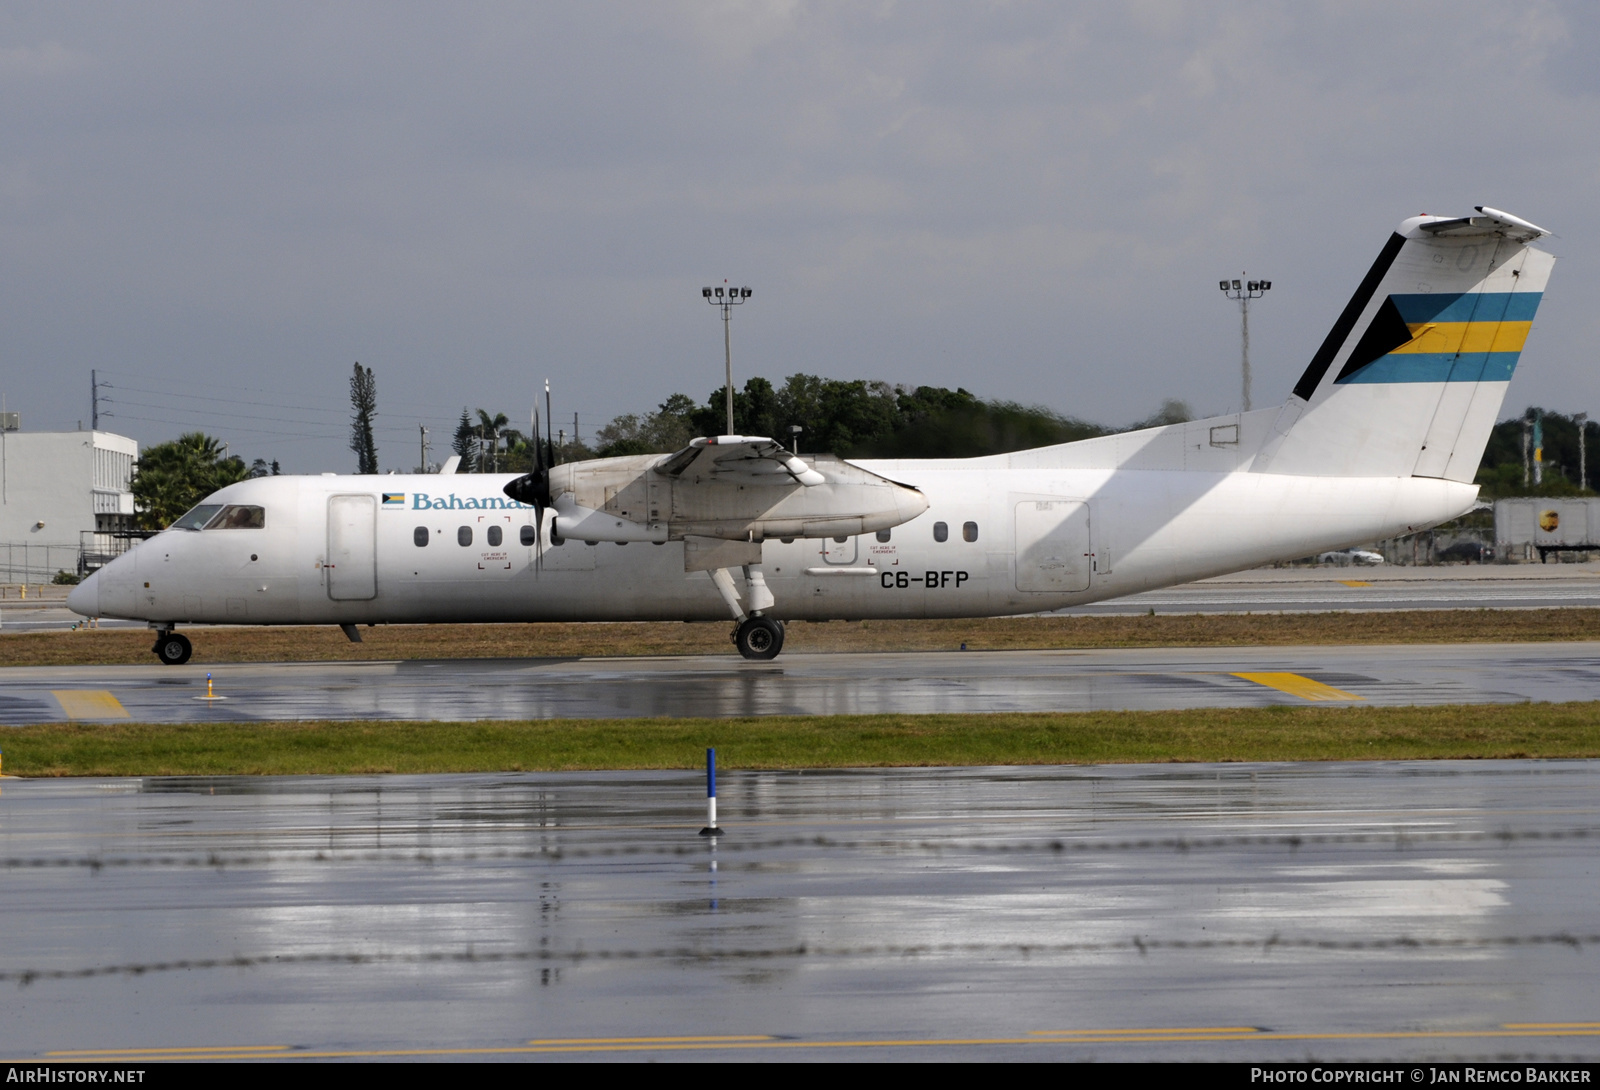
x=796, y=742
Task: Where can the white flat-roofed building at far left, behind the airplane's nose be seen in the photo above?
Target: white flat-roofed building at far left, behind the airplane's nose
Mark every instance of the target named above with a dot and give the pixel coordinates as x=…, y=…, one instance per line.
x=62, y=492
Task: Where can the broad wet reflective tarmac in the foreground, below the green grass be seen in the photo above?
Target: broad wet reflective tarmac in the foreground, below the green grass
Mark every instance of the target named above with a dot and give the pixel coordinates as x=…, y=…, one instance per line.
x=1342, y=912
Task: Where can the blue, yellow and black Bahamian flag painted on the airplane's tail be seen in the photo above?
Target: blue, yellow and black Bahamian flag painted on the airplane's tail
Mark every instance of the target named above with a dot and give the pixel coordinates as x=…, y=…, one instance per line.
x=1444, y=339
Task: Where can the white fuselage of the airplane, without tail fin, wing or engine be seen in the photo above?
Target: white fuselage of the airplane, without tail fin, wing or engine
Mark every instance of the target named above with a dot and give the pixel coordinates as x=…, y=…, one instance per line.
x=409, y=550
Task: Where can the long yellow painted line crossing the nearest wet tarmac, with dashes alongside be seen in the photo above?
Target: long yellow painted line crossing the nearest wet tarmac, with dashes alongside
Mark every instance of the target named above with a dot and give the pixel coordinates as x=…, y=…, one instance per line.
x=756, y=1041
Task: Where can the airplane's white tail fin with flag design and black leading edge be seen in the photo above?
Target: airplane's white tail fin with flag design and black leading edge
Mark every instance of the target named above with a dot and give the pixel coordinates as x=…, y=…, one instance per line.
x=1414, y=374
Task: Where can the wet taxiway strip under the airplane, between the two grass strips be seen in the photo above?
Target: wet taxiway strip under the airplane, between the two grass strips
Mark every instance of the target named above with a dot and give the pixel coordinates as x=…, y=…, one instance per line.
x=724, y=686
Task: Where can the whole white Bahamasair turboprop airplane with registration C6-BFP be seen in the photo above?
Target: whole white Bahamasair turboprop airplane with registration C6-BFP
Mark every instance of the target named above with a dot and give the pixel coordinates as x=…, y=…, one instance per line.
x=1382, y=436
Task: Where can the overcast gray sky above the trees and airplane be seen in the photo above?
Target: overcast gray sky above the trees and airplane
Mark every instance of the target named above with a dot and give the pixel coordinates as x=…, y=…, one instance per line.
x=223, y=207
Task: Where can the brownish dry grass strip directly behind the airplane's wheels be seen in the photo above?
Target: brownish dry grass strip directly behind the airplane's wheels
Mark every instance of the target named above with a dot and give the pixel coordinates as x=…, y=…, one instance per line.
x=302, y=644
